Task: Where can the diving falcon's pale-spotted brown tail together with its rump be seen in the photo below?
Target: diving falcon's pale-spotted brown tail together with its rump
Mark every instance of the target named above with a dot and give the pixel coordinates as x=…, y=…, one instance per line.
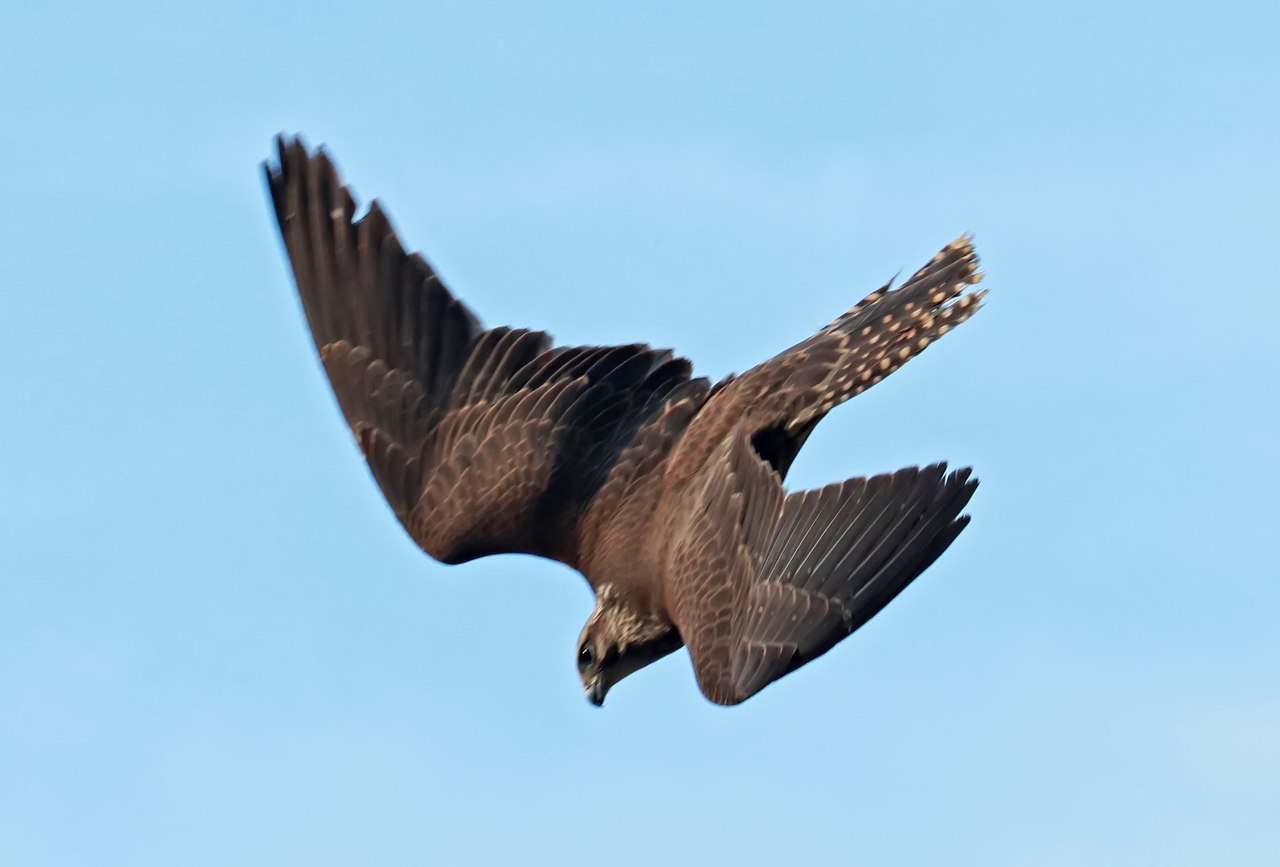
x=781, y=400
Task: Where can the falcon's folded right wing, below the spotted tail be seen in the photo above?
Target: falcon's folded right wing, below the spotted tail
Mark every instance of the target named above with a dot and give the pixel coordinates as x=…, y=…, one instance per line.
x=764, y=583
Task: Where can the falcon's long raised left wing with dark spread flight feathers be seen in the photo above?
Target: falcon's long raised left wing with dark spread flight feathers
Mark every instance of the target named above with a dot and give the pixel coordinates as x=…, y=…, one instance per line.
x=483, y=441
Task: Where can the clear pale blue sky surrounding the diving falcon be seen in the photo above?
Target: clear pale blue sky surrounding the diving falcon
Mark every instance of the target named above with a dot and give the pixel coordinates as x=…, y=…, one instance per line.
x=217, y=645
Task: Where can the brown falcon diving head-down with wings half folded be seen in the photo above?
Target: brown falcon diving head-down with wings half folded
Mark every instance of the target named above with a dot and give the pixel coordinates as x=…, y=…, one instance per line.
x=664, y=490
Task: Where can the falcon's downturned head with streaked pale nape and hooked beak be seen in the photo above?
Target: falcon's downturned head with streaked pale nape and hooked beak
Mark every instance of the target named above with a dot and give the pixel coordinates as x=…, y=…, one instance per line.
x=619, y=641
